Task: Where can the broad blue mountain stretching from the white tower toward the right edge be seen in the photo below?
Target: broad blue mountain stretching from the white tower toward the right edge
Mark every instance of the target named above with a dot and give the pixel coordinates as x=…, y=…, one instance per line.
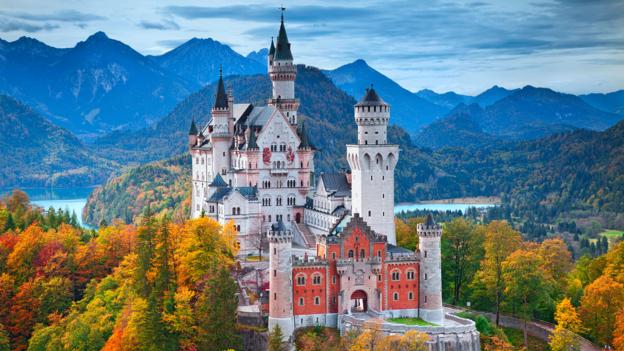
x=527, y=113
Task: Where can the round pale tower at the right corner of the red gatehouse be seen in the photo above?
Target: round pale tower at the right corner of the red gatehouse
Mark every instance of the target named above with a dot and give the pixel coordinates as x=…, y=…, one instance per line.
x=429, y=235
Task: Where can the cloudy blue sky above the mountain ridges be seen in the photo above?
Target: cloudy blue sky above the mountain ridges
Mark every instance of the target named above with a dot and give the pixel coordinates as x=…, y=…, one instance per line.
x=574, y=46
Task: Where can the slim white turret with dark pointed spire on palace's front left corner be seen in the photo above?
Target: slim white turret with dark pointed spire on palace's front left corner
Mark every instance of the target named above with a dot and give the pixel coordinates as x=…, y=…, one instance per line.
x=221, y=127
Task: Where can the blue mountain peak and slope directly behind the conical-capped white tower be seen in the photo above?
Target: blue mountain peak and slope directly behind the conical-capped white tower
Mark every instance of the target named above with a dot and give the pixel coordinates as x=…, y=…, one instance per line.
x=408, y=109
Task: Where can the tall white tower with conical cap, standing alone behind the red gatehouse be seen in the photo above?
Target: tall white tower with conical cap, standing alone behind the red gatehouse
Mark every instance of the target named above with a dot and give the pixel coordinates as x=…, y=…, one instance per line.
x=372, y=161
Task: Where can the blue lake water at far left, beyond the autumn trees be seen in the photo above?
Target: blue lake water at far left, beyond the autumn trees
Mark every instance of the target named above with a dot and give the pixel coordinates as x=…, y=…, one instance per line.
x=72, y=199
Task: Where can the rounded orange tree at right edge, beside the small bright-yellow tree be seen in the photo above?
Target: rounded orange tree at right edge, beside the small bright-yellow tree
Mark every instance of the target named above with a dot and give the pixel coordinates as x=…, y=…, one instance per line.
x=601, y=301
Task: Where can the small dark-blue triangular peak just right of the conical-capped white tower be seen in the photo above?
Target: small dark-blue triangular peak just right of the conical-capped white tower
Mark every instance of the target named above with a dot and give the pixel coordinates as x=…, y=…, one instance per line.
x=460, y=128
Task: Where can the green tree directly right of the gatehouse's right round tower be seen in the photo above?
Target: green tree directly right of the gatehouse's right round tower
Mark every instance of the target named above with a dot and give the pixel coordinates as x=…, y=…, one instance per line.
x=462, y=249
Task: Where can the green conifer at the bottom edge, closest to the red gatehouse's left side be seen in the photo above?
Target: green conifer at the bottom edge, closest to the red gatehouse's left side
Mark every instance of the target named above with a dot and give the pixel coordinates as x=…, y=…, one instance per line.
x=216, y=313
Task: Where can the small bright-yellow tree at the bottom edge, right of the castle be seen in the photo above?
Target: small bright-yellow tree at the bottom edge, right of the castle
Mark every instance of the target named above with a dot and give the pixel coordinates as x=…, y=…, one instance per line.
x=563, y=337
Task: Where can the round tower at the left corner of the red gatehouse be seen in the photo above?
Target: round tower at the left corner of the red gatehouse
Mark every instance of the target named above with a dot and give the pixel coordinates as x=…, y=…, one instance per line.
x=280, y=281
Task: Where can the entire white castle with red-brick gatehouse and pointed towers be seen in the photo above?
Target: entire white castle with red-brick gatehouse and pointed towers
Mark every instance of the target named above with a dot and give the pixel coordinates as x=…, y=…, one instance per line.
x=332, y=245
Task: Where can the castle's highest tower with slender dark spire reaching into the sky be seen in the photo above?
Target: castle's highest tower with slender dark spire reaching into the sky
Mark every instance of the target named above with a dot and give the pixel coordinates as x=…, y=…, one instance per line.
x=283, y=73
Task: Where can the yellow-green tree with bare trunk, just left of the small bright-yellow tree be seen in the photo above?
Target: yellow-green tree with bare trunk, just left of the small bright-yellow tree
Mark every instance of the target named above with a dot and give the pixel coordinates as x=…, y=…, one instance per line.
x=525, y=284
